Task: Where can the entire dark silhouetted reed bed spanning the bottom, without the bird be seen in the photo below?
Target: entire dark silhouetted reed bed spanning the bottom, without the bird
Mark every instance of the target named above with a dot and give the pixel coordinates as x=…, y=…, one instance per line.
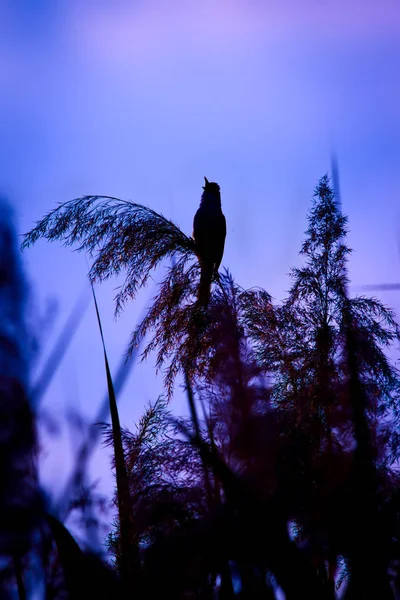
x=282, y=480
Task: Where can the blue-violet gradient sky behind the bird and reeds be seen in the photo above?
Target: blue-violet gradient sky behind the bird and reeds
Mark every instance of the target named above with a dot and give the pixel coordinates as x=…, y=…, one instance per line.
x=141, y=99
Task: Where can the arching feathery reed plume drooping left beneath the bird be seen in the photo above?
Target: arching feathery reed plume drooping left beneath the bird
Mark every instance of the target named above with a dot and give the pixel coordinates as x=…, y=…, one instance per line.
x=124, y=236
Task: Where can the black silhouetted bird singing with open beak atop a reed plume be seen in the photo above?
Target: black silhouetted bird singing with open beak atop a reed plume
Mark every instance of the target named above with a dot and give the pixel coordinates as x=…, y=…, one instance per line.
x=209, y=232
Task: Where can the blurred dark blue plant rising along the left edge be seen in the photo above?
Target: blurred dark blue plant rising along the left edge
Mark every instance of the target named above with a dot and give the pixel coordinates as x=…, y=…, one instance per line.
x=21, y=506
